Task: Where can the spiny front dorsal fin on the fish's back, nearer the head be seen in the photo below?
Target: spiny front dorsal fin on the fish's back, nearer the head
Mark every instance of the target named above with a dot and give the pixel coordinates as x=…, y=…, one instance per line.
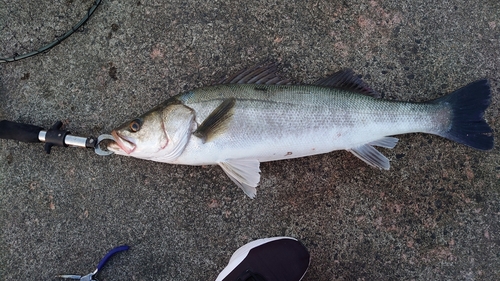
x=265, y=73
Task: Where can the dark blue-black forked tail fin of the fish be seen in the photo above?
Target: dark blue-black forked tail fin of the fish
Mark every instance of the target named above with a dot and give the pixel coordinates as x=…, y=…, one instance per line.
x=468, y=125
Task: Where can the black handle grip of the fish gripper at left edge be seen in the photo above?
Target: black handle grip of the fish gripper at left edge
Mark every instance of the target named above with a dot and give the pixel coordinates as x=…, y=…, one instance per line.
x=18, y=131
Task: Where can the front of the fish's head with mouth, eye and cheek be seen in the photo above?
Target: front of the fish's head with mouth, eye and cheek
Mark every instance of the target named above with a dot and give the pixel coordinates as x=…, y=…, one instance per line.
x=141, y=137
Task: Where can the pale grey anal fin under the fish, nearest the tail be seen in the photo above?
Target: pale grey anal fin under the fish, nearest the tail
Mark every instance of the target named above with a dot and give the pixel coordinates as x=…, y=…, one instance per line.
x=372, y=156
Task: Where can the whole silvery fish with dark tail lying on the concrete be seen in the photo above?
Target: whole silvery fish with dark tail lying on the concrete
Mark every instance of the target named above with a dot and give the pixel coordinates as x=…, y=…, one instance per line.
x=257, y=116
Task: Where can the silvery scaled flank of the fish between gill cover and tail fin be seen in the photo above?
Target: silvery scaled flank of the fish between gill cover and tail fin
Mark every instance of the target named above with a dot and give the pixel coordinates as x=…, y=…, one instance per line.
x=304, y=120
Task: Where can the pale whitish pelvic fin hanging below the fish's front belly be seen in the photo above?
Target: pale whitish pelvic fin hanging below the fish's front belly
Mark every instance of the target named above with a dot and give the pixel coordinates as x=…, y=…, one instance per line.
x=244, y=172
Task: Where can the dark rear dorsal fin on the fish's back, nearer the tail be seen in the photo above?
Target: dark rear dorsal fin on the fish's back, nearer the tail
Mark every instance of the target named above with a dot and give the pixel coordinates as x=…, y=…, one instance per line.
x=346, y=79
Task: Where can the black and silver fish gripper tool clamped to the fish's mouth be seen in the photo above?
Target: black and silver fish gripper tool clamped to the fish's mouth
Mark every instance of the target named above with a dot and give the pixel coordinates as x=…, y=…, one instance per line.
x=51, y=137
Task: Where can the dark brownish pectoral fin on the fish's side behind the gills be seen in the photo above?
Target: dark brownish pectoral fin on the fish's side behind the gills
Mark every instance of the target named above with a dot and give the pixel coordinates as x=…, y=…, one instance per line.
x=217, y=121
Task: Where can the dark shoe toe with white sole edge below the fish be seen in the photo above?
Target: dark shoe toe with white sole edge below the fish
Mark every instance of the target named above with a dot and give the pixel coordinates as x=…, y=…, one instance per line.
x=269, y=259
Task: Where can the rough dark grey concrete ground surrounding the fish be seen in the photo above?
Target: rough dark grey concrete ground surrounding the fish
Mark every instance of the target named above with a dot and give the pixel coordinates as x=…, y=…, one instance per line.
x=435, y=215
